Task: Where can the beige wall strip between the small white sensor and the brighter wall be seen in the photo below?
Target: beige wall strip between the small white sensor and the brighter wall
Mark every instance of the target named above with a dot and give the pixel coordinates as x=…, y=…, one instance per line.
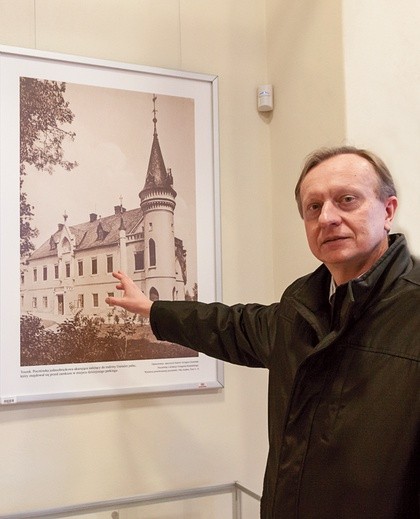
x=305, y=61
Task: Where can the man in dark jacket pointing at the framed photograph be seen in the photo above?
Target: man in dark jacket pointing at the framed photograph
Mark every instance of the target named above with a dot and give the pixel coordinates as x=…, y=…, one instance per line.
x=342, y=348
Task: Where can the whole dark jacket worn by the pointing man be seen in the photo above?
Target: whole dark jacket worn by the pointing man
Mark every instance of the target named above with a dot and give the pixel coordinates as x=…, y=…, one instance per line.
x=344, y=379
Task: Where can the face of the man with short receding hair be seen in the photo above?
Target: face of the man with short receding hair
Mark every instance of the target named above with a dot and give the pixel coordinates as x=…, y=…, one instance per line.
x=346, y=224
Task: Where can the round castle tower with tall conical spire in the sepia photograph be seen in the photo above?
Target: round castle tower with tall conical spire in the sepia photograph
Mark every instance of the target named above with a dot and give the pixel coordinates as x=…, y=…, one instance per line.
x=157, y=201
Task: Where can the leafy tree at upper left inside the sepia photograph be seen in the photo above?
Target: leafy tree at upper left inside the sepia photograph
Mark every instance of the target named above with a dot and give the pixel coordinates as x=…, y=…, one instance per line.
x=43, y=113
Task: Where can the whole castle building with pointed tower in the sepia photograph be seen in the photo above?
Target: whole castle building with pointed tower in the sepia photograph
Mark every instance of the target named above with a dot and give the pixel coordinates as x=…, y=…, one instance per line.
x=71, y=271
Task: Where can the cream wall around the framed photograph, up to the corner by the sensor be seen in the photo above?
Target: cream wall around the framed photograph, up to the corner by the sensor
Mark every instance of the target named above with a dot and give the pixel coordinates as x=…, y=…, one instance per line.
x=55, y=454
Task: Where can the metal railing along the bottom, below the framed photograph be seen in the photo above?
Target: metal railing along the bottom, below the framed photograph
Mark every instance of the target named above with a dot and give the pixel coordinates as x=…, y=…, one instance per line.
x=235, y=489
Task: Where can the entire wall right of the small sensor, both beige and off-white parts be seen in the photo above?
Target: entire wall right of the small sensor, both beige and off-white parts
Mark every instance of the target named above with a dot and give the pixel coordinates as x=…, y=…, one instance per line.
x=343, y=72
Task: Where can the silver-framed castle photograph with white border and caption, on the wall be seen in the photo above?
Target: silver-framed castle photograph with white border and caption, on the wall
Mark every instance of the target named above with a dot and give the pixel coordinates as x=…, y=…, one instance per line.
x=105, y=166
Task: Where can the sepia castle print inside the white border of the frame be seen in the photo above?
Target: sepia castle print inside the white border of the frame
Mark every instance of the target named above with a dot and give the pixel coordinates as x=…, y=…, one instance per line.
x=107, y=183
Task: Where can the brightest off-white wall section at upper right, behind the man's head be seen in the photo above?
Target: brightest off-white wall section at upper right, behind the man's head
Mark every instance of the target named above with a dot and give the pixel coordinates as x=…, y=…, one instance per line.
x=382, y=68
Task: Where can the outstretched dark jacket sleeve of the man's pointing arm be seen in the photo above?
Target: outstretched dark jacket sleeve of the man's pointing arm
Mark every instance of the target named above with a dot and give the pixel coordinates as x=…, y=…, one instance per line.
x=240, y=334
